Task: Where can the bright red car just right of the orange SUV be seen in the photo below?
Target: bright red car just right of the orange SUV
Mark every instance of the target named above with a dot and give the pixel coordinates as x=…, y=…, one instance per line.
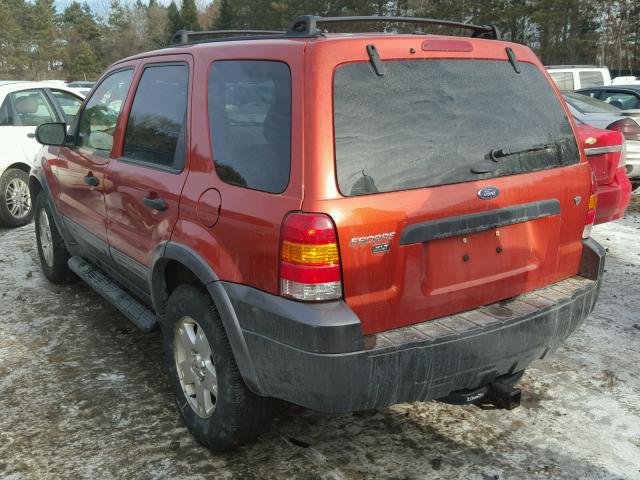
x=605, y=150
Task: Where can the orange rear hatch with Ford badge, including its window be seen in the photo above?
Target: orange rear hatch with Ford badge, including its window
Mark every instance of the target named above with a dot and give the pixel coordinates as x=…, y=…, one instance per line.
x=460, y=185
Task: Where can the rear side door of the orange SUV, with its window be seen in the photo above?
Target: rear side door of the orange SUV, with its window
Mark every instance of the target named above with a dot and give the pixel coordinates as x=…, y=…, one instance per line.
x=144, y=182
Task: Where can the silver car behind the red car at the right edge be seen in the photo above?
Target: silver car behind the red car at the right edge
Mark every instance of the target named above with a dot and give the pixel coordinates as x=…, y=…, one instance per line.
x=602, y=115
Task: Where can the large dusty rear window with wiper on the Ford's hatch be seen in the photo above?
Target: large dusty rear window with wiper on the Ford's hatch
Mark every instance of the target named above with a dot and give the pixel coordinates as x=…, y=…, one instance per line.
x=437, y=122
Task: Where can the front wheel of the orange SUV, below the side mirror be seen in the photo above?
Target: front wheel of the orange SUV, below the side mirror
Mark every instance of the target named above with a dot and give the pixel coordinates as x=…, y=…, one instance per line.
x=51, y=248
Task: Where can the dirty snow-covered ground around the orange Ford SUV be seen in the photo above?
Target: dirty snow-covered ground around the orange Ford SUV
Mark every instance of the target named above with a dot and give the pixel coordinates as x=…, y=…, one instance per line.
x=84, y=395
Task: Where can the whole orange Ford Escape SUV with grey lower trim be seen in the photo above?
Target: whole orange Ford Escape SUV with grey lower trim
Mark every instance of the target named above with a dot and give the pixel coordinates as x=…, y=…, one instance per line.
x=344, y=222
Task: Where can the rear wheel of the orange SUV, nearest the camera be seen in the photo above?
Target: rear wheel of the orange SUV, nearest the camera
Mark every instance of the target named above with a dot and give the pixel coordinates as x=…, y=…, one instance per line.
x=236, y=415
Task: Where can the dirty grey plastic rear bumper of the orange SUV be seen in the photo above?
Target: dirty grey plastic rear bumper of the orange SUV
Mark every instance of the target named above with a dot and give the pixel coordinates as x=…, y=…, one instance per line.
x=296, y=360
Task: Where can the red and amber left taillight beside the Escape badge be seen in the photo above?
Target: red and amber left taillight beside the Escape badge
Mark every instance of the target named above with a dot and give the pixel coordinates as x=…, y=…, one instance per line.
x=309, y=258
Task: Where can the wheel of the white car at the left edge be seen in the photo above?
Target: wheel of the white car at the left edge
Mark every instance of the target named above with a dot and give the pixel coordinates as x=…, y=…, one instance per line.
x=16, y=208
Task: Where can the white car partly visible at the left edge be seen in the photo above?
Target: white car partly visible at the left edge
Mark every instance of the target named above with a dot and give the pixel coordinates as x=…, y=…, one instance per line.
x=24, y=106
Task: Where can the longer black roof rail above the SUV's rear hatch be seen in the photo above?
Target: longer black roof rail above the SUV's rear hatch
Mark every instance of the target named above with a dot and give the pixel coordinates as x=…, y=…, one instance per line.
x=307, y=25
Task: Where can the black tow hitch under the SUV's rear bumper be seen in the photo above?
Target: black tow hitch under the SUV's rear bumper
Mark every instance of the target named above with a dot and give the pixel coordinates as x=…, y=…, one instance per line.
x=499, y=394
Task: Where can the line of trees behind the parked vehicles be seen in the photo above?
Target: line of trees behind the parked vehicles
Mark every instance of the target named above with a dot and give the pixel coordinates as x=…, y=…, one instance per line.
x=38, y=42
